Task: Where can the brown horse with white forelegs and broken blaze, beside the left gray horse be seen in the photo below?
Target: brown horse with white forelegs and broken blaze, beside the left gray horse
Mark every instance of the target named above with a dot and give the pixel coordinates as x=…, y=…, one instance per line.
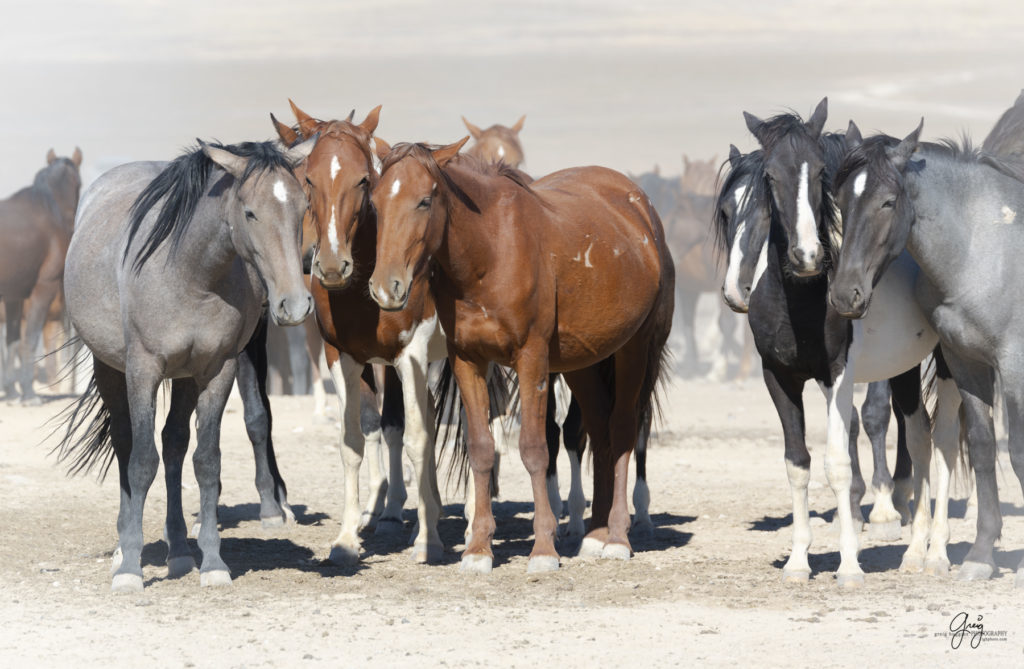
x=339, y=179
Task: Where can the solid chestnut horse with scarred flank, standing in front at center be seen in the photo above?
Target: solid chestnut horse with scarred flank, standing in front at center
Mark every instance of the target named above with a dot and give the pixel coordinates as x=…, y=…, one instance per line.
x=571, y=274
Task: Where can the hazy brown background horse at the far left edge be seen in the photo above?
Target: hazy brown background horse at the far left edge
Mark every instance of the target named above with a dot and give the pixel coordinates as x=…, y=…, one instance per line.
x=36, y=225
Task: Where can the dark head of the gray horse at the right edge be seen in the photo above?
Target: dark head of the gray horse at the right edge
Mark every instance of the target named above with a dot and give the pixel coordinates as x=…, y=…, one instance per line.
x=877, y=220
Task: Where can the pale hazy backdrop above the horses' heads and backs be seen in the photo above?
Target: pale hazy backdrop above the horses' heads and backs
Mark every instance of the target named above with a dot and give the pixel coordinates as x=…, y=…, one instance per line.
x=627, y=85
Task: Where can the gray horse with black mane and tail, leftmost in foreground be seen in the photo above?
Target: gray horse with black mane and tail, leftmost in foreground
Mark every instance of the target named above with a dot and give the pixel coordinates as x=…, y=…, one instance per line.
x=166, y=278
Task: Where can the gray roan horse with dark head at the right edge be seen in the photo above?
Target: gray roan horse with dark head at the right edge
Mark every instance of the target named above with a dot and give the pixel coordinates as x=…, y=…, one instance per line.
x=958, y=213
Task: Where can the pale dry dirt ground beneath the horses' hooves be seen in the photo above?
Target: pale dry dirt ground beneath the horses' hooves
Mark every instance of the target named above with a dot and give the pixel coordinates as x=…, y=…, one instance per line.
x=707, y=590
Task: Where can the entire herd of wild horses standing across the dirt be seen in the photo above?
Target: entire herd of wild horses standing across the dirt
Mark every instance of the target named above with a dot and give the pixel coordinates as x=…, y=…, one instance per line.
x=857, y=260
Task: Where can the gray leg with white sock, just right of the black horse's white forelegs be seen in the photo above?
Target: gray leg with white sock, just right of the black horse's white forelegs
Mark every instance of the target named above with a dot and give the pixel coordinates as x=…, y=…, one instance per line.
x=884, y=521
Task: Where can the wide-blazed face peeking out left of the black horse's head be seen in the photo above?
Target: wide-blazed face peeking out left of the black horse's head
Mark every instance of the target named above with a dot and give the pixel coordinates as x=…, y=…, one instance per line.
x=748, y=226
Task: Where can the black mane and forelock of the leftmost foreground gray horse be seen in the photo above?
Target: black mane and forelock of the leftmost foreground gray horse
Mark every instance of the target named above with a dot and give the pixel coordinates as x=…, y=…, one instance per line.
x=182, y=186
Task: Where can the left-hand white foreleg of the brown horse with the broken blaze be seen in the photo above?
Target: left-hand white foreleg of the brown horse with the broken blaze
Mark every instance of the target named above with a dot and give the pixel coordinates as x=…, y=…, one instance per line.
x=347, y=372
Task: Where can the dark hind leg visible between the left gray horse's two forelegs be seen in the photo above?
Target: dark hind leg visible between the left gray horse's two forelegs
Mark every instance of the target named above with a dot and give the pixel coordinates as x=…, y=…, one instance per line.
x=176, y=435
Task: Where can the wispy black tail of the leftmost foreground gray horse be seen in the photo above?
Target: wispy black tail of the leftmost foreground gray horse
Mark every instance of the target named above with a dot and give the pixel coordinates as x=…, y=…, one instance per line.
x=87, y=443
